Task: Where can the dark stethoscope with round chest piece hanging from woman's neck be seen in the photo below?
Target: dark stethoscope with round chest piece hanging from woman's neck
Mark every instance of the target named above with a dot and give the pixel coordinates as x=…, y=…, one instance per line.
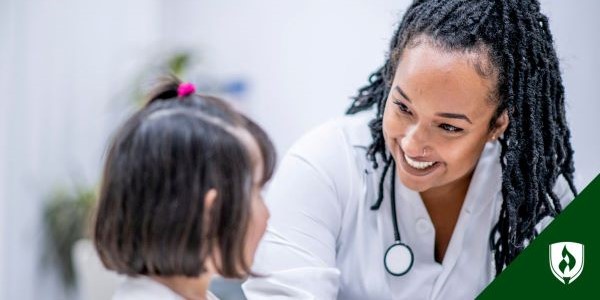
x=398, y=258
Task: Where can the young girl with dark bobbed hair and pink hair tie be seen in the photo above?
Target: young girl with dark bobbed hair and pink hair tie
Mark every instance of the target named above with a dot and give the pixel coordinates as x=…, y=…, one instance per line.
x=180, y=199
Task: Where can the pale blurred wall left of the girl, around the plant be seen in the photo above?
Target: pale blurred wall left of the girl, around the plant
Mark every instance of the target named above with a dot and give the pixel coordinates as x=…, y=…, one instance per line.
x=62, y=63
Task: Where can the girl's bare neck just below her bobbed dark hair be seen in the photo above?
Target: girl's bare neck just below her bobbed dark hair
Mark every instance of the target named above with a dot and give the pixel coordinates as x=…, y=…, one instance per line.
x=191, y=288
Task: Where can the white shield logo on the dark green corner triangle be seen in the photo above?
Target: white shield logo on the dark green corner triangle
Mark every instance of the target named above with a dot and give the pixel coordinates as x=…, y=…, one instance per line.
x=566, y=261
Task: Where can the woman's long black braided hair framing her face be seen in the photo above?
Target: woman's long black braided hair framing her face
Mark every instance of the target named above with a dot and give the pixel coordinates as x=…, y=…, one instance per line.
x=515, y=37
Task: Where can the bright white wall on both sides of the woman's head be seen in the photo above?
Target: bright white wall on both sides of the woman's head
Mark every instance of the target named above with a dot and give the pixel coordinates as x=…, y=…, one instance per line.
x=306, y=58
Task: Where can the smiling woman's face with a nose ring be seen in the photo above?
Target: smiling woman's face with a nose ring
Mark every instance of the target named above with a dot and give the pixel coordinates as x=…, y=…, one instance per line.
x=437, y=116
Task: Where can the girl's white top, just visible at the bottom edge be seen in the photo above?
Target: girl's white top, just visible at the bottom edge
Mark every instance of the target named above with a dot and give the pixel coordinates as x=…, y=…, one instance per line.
x=145, y=288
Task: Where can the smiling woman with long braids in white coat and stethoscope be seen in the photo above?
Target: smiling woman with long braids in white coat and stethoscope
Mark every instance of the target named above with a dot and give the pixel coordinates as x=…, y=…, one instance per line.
x=465, y=158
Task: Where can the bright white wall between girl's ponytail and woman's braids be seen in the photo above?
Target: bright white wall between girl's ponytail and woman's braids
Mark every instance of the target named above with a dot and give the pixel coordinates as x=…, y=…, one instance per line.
x=304, y=58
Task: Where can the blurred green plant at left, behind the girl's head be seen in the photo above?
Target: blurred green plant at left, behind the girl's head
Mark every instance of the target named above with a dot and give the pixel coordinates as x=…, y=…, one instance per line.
x=66, y=219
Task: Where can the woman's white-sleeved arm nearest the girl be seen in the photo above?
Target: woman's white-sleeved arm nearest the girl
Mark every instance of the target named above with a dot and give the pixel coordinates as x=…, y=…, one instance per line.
x=298, y=252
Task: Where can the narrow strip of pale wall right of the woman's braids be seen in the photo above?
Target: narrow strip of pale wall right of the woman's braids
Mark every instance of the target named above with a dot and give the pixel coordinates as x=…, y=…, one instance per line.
x=575, y=27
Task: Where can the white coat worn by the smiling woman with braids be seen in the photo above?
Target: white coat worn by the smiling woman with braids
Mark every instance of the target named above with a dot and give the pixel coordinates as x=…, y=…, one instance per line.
x=324, y=242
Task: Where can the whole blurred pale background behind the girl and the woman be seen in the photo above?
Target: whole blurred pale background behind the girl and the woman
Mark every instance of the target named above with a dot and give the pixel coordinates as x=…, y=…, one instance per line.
x=71, y=70
